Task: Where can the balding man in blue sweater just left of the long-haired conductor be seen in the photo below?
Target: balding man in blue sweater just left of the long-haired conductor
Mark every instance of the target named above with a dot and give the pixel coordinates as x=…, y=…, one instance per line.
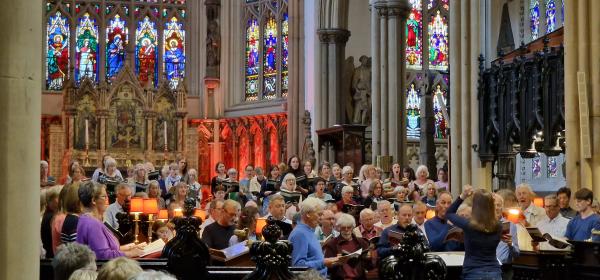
x=437, y=227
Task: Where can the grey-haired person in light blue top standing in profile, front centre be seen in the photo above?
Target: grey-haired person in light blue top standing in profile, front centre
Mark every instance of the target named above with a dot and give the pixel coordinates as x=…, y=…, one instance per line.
x=306, y=249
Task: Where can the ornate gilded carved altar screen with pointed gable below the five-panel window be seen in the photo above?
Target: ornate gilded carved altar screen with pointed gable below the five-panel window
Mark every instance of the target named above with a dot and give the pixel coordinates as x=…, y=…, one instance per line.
x=124, y=119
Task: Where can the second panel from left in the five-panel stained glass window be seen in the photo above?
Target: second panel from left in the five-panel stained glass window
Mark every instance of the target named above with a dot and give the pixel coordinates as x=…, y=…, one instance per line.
x=86, y=50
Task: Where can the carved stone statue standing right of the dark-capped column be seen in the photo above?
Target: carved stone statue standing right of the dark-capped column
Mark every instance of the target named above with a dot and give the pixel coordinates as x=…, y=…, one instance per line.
x=361, y=92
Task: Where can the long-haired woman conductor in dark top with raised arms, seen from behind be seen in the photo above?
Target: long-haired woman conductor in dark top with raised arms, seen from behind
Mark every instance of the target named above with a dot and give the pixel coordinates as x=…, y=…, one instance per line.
x=482, y=233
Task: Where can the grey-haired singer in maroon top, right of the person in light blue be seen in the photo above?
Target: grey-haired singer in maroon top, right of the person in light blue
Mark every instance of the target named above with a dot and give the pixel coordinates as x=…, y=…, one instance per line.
x=346, y=243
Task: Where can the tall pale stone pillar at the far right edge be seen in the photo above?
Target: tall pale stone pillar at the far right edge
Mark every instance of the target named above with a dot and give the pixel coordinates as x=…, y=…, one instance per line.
x=582, y=171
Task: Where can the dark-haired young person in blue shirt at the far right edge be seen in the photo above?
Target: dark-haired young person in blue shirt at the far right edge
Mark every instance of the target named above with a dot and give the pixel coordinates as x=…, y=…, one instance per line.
x=581, y=226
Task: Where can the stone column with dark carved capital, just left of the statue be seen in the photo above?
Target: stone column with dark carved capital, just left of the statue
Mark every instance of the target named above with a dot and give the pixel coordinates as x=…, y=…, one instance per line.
x=333, y=44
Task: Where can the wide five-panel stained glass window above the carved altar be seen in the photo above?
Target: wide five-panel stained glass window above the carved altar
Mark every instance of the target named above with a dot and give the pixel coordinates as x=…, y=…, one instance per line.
x=91, y=39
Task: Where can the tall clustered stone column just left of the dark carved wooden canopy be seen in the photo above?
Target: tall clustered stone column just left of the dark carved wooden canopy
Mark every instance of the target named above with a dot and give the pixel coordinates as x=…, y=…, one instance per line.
x=465, y=47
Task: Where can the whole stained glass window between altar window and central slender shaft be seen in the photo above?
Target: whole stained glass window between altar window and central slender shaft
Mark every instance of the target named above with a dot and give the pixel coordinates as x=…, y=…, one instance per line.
x=266, y=49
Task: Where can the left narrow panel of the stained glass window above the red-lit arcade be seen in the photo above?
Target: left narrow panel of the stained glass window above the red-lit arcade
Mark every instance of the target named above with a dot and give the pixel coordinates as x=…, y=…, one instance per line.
x=252, y=62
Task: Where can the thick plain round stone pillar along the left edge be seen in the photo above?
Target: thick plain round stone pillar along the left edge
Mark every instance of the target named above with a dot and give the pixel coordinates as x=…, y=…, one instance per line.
x=20, y=111
